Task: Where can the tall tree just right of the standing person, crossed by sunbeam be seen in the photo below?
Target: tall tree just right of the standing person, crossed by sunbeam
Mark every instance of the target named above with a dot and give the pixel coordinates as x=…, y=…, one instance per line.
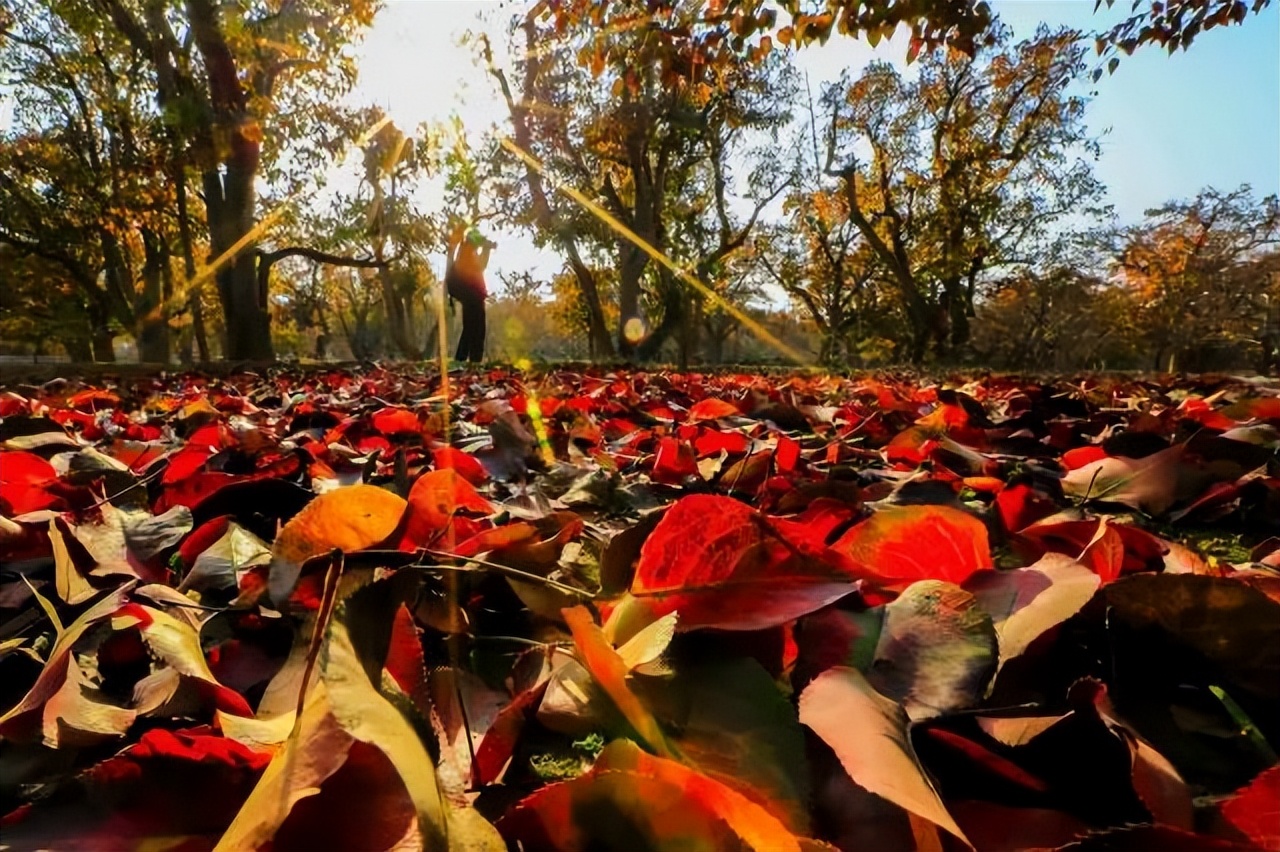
x=636, y=140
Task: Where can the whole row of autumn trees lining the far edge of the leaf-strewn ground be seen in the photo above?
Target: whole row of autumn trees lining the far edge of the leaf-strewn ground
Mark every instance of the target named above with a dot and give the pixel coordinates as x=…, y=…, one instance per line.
x=163, y=181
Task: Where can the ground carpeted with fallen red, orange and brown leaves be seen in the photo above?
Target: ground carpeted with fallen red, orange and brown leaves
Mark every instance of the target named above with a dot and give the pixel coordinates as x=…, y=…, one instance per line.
x=371, y=611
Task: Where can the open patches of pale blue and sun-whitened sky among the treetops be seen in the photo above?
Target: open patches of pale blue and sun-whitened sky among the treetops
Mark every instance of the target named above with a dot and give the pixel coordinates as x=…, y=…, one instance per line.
x=1173, y=125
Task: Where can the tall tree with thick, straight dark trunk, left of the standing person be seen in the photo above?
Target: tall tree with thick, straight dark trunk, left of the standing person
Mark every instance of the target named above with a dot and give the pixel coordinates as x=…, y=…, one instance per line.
x=235, y=89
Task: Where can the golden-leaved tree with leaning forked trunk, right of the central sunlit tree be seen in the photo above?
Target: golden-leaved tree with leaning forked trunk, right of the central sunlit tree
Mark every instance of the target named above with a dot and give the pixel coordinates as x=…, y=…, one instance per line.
x=963, y=171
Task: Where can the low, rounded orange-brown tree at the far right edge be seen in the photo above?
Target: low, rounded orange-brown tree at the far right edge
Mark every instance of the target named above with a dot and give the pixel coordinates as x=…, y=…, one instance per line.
x=1204, y=277
